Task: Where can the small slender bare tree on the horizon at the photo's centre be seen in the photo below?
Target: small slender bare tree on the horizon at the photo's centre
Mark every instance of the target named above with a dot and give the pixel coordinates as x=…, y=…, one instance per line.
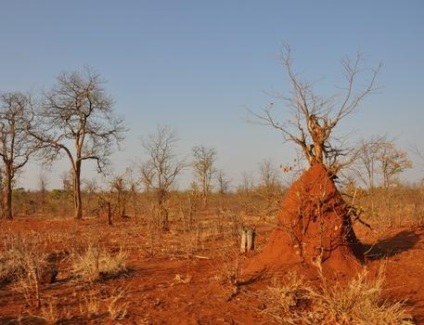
x=203, y=166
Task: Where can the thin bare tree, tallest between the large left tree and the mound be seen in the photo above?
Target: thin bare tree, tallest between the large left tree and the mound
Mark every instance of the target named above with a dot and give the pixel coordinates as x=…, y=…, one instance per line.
x=159, y=172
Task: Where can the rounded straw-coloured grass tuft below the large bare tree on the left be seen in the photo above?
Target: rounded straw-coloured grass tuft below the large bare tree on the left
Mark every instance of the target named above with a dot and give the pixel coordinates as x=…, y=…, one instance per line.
x=96, y=263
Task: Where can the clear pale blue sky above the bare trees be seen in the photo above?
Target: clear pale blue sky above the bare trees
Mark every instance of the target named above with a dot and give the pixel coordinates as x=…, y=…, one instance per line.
x=197, y=66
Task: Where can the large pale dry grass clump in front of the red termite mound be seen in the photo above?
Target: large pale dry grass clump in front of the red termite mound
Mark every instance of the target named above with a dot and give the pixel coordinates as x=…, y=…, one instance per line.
x=360, y=302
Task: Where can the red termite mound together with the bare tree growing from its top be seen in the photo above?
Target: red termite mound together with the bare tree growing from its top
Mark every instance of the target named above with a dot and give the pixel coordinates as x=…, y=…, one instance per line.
x=314, y=223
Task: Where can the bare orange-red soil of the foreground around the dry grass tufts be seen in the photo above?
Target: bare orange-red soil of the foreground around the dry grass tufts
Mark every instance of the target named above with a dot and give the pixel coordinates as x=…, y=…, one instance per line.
x=177, y=278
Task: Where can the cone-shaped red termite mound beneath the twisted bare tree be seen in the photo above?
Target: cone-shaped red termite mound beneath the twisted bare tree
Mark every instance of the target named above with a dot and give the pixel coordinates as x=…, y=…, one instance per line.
x=314, y=230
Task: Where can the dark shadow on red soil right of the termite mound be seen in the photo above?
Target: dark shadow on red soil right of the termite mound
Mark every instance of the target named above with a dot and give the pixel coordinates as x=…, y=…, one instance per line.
x=392, y=245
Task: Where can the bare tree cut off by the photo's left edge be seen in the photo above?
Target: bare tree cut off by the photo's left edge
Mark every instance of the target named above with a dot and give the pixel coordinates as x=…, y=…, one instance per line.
x=16, y=145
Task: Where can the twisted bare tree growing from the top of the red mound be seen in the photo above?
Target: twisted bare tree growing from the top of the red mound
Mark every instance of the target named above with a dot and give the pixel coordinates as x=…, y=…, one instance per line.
x=314, y=117
